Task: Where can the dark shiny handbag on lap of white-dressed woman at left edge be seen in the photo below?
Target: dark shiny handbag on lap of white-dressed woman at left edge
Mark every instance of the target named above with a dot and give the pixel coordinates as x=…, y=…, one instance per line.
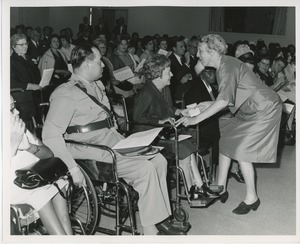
x=44, y=172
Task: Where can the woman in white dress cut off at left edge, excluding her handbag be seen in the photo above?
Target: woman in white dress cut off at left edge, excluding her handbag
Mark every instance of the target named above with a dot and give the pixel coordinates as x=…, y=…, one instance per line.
x=25, y=150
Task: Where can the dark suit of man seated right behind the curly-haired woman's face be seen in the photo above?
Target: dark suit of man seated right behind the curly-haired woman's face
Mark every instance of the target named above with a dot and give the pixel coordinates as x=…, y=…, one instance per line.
x=178, y=71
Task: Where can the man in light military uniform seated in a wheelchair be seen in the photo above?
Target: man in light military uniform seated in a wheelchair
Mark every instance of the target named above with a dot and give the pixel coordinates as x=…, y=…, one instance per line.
x=80, y=111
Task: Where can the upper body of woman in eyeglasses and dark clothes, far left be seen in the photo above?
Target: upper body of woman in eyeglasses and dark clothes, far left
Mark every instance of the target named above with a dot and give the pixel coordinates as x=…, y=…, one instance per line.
x=23, y=72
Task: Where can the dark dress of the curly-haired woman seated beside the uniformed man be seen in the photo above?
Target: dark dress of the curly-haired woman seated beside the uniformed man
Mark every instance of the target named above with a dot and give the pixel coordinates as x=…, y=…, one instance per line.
x=150, y=106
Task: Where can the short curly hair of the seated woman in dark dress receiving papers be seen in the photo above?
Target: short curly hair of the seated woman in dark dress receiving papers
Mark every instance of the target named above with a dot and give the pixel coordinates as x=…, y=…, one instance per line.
x=154, y=66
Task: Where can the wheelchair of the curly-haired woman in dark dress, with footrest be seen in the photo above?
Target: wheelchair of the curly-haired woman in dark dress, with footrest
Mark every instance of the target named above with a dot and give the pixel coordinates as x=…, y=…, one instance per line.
x=176, y=177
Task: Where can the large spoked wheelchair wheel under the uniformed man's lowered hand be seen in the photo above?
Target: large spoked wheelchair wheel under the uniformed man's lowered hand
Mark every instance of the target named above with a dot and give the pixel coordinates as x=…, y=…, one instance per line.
x=84, y=208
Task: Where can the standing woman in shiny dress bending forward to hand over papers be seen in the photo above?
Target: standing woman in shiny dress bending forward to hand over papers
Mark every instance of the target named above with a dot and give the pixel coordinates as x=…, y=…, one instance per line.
x=251, y=135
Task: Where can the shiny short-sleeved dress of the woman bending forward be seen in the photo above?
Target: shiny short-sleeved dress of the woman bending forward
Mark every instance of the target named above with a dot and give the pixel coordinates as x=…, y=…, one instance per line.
x=252, y=134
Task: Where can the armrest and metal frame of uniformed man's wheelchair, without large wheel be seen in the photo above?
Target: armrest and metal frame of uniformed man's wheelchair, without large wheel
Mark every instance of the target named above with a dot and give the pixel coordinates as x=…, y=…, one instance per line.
x=114, y=197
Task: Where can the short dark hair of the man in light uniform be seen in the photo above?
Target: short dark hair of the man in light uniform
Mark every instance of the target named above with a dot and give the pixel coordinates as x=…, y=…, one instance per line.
x=81, y=53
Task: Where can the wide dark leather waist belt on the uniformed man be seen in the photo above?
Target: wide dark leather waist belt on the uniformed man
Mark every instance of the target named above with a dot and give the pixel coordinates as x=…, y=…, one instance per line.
x=107, y=123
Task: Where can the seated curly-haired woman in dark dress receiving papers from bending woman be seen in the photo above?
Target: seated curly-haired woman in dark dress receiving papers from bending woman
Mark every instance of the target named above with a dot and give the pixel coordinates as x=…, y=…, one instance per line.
x=153, y=104
